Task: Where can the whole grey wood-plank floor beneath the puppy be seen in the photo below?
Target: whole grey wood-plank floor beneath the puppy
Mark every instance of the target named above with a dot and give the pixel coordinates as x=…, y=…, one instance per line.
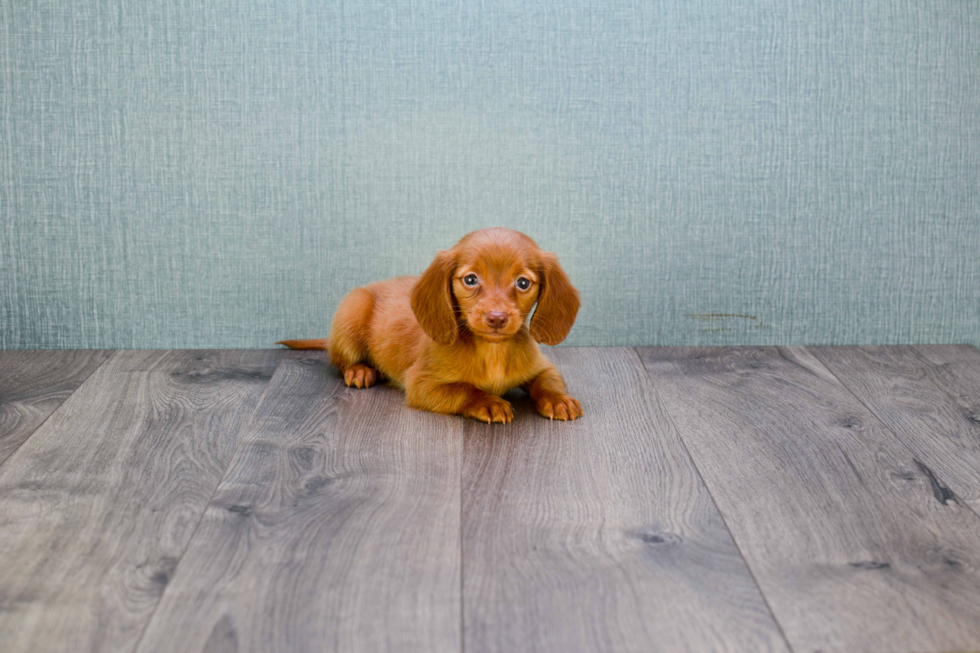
x=747, y=499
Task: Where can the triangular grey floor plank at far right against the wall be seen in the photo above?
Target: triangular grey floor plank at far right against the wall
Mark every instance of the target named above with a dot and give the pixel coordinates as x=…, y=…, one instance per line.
x=933, y=406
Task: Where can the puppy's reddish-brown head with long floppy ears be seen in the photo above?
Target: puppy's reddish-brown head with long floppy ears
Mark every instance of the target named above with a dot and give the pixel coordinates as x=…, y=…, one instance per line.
x=489, y=283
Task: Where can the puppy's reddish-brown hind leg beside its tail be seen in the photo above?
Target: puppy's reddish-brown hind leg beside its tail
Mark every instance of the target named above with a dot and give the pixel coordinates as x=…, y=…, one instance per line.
x=348, y=342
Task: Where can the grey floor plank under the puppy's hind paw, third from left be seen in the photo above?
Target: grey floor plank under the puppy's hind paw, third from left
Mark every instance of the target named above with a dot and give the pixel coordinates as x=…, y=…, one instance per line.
x=335, y=529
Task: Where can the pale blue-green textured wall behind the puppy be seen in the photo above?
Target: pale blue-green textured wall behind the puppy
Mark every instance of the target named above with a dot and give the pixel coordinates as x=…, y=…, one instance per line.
x=180, y=175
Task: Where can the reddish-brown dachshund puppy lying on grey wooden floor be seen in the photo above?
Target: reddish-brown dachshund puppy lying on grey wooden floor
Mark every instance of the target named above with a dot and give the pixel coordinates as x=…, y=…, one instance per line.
x=458, y=337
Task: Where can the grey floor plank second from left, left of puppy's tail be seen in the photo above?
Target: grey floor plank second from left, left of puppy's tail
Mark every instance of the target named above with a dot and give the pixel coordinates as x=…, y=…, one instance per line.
x=98, y=505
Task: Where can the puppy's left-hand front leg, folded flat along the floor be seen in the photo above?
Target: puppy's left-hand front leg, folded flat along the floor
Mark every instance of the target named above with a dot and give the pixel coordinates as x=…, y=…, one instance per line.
x=426, y=393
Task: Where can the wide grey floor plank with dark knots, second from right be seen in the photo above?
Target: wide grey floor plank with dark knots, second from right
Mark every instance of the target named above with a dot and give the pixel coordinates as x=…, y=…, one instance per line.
x=842, y=529
